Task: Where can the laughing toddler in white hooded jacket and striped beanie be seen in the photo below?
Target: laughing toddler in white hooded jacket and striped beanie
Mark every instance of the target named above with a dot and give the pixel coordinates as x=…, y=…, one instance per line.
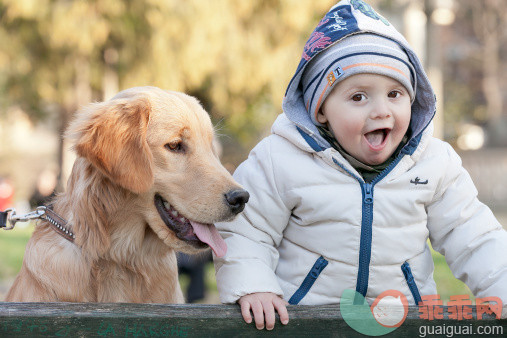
x=351, y=184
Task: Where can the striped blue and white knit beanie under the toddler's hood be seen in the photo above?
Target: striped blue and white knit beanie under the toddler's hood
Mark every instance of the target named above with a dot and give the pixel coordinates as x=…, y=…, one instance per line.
x=356, y=54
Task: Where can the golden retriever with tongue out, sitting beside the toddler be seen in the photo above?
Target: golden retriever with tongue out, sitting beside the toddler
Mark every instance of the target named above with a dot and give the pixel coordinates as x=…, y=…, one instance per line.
x=146, y=182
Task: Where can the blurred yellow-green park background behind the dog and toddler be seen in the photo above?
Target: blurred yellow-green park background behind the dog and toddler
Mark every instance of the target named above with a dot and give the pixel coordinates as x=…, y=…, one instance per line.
x=237, y=58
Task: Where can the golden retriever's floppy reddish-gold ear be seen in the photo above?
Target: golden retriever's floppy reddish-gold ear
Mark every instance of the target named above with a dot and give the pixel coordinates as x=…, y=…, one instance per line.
x=112, y=136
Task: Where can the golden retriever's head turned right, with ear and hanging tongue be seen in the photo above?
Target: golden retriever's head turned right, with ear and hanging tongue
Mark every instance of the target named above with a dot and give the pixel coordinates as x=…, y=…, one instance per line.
x=159, y=145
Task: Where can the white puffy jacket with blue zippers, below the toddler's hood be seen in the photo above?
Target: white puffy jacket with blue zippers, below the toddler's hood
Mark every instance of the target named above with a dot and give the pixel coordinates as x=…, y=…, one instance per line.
x=313, y=225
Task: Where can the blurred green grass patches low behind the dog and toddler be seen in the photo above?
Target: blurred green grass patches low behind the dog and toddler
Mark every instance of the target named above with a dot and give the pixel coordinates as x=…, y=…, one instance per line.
x=12, y=248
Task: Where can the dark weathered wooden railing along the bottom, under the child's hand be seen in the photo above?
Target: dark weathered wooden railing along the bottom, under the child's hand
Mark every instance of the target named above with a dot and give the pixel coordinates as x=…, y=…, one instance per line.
x=161, y=320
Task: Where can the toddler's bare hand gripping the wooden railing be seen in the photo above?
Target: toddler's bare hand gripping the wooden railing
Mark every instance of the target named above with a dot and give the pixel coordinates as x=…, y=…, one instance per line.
x=263, y=304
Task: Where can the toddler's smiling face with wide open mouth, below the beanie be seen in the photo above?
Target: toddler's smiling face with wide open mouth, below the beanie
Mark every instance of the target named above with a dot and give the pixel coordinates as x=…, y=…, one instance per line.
x=369, y=115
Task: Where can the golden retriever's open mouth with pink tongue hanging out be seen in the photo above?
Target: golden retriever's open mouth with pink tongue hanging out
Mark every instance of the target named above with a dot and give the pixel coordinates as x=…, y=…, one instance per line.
x=194, y=233
